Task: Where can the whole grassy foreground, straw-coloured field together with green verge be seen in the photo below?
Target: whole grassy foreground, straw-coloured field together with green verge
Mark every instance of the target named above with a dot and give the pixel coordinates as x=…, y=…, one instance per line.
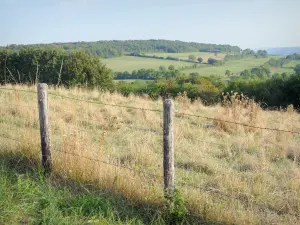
x=247, y=176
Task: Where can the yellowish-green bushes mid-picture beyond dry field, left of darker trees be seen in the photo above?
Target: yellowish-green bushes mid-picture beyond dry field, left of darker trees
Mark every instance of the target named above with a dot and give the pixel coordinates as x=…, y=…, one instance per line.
x=174, y=83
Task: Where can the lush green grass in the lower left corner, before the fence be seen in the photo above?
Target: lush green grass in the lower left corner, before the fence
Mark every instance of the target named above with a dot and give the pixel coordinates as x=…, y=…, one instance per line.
x=28, y=197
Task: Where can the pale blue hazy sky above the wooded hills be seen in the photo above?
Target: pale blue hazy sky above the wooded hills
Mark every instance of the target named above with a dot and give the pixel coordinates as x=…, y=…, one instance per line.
x=245, y=23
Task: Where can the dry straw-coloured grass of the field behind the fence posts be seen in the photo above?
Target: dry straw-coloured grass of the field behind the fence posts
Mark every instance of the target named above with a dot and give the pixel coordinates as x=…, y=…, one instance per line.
x=257, y=171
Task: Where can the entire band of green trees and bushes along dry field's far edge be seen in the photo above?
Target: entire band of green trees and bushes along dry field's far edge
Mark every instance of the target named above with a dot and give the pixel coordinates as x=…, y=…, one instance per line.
x=77, y=68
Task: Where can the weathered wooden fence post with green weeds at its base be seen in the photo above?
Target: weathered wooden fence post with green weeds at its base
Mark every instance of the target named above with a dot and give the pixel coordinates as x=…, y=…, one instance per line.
x=168, y=142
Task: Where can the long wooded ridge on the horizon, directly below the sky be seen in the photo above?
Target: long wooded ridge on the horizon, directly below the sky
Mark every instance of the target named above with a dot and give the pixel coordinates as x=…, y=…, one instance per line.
x=108, y=49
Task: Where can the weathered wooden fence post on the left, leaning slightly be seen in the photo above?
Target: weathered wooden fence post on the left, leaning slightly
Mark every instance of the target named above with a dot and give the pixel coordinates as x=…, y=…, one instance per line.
x=44, y=126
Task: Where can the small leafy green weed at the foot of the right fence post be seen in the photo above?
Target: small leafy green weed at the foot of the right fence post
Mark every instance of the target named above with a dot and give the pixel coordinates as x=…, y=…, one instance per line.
x=175, y=210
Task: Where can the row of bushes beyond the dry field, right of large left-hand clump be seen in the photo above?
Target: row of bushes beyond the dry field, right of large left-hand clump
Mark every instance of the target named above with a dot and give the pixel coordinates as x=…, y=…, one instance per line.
x=272, y=90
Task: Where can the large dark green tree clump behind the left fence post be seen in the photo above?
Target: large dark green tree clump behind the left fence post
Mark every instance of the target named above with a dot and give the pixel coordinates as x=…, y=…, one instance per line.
x=46, y=65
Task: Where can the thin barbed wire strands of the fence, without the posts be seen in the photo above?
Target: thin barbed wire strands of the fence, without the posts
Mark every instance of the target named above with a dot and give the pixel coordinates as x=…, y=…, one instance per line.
x=204, y=188
